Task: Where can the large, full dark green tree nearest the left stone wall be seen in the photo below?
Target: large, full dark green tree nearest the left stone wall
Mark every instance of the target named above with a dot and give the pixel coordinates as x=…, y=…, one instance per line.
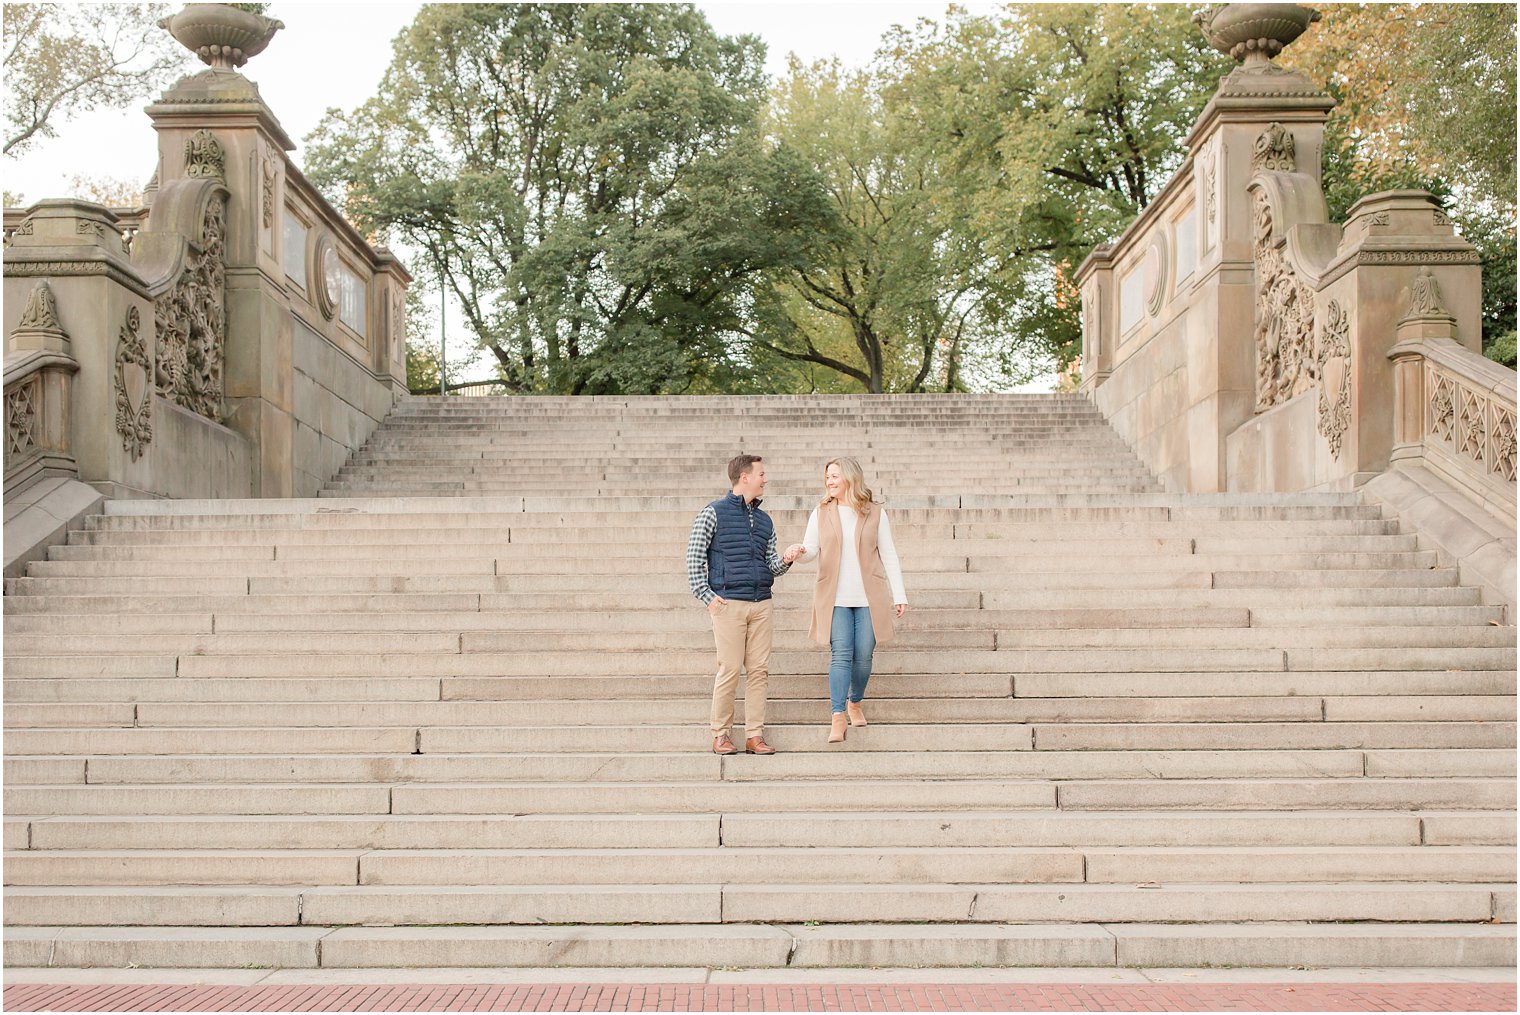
x=589, y=182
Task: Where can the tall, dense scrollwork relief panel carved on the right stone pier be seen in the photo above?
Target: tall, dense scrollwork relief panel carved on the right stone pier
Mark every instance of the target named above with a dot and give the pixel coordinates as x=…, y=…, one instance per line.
x=1285, y=320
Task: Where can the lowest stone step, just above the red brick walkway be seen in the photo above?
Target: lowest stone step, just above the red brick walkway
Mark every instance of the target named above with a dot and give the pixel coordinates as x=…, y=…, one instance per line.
x=828, y=946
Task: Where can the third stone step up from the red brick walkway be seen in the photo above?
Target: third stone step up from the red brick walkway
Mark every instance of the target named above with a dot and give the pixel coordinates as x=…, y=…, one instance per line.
x=881, y=865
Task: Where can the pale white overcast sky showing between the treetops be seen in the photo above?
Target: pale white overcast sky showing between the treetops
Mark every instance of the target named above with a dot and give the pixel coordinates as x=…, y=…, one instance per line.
x=335, y=54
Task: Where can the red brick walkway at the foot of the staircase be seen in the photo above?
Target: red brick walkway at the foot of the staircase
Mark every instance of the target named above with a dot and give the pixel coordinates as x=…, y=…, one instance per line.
x=610, y=998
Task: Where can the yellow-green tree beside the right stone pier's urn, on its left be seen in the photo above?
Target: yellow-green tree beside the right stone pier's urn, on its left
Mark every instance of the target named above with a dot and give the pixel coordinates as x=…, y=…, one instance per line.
x=1053, y=127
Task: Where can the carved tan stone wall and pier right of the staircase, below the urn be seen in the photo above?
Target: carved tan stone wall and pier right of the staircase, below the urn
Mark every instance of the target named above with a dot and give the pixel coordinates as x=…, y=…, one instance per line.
x=1237, y=337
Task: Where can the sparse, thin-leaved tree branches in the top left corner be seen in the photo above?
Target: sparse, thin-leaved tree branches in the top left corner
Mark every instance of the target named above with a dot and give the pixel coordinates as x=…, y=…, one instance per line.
x=69, y=58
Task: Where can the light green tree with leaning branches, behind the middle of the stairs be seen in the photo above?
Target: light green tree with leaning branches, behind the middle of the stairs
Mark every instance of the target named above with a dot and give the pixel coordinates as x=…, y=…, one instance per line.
x=899, y=296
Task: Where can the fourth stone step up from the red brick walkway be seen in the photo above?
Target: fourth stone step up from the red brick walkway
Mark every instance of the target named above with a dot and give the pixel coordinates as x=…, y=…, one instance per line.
x=1037, y=827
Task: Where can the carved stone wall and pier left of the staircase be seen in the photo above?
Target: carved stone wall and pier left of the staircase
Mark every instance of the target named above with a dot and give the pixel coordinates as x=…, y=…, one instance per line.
x=233, y=338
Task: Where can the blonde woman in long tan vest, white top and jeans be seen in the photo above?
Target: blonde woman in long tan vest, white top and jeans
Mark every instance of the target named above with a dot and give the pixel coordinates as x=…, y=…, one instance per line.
x=860, y=583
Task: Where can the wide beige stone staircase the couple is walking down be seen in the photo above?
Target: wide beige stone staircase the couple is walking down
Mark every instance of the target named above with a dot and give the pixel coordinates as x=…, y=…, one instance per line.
x=454, y=713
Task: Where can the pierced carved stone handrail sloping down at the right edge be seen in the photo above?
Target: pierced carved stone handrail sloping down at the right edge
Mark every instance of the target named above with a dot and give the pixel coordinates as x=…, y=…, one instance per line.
x=1455, y=416
